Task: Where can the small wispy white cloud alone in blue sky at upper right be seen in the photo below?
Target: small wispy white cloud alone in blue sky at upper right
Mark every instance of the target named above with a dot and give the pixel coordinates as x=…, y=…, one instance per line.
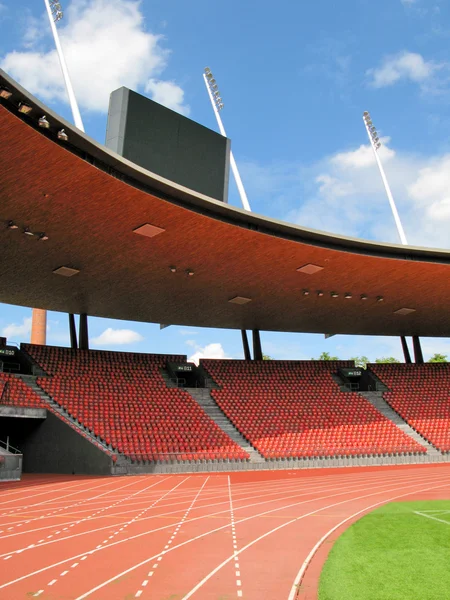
x=403, y=66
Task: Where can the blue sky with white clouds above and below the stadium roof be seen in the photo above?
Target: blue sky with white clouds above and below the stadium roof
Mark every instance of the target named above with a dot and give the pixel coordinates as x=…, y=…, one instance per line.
x=295, y=78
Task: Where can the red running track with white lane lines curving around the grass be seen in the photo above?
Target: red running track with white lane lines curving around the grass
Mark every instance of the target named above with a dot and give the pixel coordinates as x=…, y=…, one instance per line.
x=243, y=535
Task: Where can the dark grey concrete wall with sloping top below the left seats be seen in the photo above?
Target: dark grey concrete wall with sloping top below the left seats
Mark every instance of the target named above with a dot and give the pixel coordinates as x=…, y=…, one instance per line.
x=51, y=446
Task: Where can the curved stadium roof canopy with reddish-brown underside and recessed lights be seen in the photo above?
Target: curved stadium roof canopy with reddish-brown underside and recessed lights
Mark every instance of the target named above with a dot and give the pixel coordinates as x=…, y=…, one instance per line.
x=89, y=202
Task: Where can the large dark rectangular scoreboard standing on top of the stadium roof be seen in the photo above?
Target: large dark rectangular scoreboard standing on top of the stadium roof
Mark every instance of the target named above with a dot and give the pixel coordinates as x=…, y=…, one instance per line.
x=168, y=144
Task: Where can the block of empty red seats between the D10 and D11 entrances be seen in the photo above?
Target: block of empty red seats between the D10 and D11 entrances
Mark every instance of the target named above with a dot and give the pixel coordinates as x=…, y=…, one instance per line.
x=123, y=399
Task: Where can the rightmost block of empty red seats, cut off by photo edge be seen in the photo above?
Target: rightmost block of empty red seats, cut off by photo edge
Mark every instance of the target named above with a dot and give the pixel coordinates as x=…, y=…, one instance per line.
x=420, y=394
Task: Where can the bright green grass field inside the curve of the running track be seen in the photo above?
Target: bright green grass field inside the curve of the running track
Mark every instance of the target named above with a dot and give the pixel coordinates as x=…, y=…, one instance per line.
x=393, y=553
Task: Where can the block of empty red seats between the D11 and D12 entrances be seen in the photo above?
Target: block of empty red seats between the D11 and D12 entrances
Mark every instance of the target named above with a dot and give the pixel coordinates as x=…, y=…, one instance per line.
x=295, y=409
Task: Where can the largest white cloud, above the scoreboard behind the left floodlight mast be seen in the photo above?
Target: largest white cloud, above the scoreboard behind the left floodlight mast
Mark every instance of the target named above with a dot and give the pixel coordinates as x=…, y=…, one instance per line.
x=105, y=45
